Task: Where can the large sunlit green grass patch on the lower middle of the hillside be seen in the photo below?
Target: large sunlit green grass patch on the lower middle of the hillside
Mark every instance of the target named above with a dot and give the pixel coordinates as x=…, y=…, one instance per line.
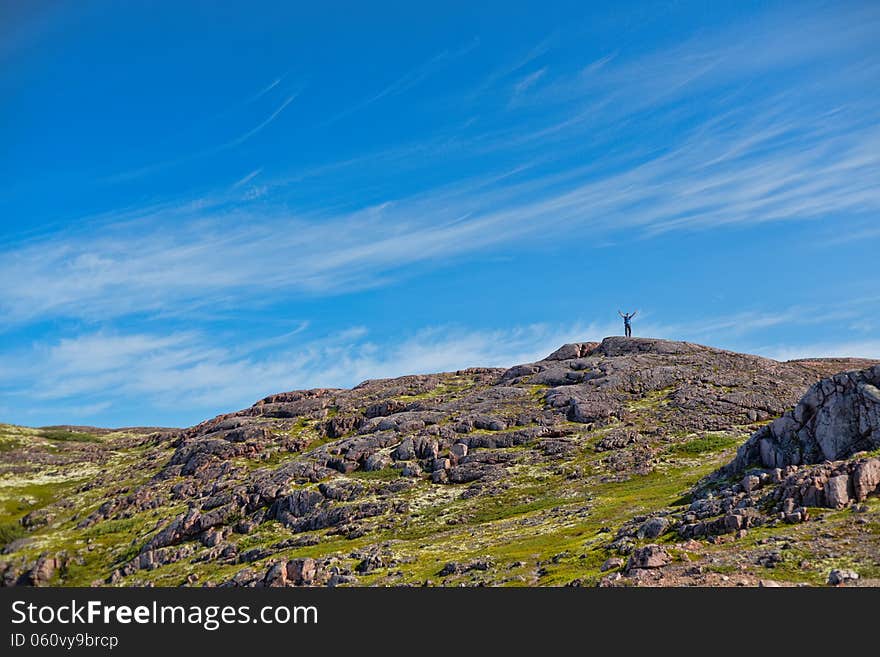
x=534, y=521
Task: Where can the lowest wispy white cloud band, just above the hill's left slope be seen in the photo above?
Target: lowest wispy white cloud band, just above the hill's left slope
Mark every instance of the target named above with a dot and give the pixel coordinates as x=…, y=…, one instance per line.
x=162, y=370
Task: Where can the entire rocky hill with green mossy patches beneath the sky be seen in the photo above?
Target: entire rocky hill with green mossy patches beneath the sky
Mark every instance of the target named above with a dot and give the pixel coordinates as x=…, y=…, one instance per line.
x=611, y=463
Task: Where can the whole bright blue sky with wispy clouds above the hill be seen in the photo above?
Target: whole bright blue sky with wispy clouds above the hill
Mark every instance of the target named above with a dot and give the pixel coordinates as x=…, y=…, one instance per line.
x=202, y=205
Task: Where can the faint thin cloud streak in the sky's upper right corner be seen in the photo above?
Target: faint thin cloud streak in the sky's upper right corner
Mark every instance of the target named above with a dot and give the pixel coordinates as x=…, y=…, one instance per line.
x=772, y=42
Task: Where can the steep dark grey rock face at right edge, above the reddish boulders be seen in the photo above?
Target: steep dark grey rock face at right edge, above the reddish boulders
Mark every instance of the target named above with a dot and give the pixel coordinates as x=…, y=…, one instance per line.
x=837, y=418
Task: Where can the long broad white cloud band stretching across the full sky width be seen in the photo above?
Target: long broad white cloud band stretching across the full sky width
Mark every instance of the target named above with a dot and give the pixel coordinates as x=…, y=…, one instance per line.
x=731, y=170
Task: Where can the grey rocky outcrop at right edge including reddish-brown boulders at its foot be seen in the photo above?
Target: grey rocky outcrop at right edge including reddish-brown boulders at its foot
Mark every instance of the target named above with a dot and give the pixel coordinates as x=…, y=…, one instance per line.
x=809, y=457
